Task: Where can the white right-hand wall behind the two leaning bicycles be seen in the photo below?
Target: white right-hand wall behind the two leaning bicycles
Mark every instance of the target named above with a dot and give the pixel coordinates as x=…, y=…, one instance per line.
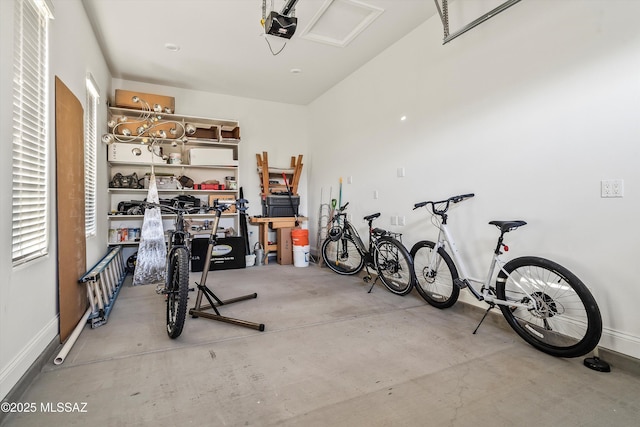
x=530, y=110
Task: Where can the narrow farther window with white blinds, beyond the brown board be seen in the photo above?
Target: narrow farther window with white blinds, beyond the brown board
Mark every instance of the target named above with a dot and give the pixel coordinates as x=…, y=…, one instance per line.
x=90, y=143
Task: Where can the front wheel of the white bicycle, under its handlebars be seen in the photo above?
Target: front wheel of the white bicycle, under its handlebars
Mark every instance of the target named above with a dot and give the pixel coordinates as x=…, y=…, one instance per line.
x=443, y=296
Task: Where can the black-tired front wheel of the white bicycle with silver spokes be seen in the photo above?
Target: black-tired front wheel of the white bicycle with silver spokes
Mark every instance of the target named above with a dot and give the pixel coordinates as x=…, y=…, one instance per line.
x=435, y=274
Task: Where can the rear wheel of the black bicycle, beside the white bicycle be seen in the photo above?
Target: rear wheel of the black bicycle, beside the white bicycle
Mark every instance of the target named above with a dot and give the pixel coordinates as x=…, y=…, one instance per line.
x=394, y=265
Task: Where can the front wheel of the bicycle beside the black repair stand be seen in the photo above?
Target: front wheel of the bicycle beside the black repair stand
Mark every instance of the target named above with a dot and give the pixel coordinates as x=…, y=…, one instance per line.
x=177, y=291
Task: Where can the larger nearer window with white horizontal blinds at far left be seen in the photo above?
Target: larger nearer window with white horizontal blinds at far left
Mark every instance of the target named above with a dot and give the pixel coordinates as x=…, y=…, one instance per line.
x=30, y=154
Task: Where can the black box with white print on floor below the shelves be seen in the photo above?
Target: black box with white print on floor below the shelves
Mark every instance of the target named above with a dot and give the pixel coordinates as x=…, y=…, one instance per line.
x=228, y=253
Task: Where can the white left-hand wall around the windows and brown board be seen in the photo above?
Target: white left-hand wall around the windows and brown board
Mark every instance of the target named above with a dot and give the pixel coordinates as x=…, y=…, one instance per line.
x=28, y=294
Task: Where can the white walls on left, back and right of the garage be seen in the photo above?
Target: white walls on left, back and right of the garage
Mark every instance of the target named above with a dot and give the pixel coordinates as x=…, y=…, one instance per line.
x=529, y=111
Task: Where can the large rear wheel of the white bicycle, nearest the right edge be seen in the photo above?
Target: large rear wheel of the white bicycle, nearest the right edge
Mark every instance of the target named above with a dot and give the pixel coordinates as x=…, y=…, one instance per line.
x=562, y=319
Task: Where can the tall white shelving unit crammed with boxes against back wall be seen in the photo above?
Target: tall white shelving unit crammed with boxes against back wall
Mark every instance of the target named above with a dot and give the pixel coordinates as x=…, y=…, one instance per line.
x=209, y=152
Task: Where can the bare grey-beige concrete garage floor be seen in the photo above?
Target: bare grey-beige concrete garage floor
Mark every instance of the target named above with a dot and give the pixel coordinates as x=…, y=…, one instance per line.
x=331, y=355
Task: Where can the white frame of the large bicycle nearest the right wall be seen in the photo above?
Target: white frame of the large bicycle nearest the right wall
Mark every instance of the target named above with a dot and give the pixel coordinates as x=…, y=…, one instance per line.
x=485, y=294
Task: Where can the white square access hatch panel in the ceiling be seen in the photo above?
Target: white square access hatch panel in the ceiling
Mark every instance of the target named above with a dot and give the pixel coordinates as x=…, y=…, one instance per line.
x=338, y=22
